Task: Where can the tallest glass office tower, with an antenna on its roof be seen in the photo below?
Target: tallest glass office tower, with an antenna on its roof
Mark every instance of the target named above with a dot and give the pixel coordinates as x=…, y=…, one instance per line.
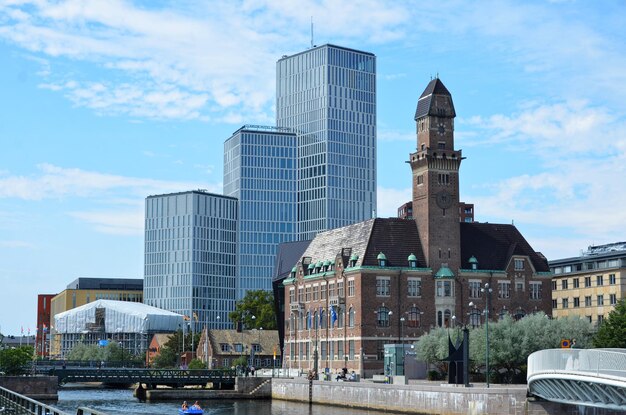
x=327, y=96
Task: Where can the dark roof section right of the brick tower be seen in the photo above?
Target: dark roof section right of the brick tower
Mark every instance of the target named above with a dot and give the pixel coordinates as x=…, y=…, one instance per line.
x=493, y=245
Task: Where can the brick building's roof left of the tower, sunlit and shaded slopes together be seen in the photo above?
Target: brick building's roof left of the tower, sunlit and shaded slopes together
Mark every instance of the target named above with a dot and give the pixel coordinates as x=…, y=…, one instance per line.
x=396, y=238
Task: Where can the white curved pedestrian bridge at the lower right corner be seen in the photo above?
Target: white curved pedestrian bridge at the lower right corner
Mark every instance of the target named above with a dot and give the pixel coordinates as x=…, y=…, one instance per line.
x=589, y=377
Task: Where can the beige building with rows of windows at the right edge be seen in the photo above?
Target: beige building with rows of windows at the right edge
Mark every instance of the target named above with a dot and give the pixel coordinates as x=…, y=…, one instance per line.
x=591, y=284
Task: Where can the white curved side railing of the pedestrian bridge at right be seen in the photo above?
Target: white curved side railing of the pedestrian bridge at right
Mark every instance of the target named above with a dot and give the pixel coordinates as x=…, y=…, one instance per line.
x=590, y=362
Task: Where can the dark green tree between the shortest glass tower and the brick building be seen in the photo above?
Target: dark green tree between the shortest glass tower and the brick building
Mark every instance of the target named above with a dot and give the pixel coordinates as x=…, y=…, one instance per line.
x=258, y=304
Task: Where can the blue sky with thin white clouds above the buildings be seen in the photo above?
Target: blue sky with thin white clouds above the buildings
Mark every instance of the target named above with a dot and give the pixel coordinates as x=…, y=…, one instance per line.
x=103, y=103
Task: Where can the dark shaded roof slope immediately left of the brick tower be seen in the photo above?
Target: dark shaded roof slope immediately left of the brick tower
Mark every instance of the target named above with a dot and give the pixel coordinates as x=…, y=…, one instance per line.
x=397, y=239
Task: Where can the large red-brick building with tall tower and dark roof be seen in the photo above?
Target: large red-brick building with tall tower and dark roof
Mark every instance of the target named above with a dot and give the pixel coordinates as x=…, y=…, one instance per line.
x=384, y=281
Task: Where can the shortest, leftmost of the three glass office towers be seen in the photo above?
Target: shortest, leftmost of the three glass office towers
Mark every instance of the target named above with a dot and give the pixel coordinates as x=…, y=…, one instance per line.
x=190, y=256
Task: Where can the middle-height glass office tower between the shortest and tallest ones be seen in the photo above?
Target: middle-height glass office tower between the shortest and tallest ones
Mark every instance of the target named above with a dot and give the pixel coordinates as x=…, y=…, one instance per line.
x=260, y=171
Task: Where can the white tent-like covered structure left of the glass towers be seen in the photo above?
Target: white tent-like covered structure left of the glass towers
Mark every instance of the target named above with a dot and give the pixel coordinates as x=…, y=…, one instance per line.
x=129, y=324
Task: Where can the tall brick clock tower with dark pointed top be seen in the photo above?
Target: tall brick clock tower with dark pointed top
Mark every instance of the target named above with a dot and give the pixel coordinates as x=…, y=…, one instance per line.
x=435, y=166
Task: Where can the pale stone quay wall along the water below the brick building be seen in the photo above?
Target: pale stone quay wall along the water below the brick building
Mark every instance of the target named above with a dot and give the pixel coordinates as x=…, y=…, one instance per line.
x=426, y=398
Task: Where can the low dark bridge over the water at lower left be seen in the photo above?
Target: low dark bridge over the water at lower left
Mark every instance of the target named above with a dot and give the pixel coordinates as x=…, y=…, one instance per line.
x=220, y=378
